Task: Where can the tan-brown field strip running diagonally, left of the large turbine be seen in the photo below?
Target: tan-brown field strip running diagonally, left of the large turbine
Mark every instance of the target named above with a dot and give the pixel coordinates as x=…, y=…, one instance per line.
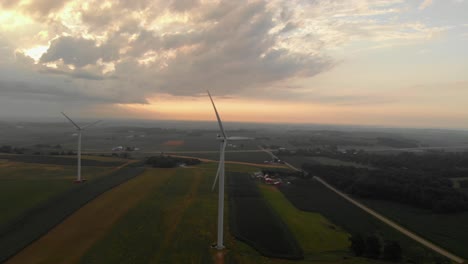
x=68, y=241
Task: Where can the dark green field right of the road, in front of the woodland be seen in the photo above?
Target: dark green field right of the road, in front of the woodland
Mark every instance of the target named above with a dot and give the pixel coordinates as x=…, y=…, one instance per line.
x=448, y=231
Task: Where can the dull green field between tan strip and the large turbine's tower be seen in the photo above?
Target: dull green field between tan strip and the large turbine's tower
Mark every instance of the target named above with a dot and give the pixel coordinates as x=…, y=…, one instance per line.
x=158, y=218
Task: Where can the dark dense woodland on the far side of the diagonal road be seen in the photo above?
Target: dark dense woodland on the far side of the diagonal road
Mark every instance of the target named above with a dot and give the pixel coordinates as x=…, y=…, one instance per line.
x=413, y=187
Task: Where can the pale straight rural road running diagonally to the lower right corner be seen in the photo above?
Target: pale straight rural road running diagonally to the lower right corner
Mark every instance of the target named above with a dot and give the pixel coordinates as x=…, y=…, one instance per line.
x=382, y=218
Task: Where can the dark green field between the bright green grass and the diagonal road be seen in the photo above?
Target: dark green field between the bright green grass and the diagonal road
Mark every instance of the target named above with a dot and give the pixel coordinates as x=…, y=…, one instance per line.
x=309, y=195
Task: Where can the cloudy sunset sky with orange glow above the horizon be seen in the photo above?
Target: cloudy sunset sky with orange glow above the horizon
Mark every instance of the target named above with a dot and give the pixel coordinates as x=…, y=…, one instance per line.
x=369, y=62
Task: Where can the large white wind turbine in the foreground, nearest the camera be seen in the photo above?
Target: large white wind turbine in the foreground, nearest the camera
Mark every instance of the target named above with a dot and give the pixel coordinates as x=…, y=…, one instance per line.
x=223, y=139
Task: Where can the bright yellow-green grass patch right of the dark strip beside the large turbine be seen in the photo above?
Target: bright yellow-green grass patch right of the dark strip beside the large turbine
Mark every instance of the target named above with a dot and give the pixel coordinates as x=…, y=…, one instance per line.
x=315, y=234
